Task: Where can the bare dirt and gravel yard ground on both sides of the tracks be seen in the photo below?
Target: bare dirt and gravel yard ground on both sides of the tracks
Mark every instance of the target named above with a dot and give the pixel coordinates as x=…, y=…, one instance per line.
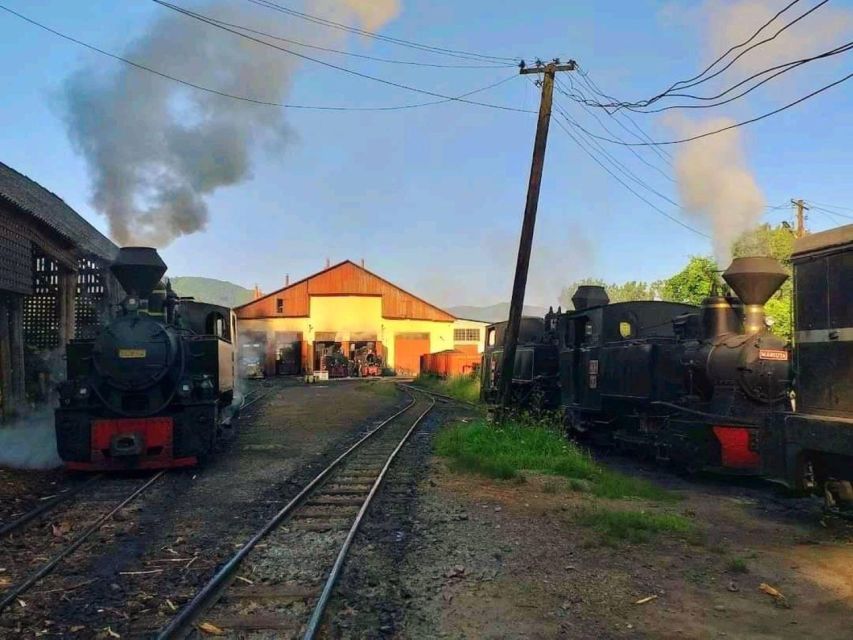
x=447, y=549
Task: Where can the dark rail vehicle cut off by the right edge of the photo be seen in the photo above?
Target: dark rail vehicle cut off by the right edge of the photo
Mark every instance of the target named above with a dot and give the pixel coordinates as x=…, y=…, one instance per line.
x=811, y=447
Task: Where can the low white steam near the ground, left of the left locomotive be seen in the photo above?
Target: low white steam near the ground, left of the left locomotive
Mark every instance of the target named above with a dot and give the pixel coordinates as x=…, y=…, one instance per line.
x=29, y=443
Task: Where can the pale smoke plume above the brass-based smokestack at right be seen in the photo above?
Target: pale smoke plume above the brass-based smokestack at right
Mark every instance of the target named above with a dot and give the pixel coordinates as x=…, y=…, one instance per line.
x=714, y=183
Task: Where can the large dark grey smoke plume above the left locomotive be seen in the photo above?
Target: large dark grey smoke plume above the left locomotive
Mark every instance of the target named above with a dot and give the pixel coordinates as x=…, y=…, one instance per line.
x=156, y=149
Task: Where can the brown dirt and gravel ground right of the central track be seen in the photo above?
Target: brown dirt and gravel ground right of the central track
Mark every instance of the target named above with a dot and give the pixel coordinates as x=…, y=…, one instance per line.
x=495, y=559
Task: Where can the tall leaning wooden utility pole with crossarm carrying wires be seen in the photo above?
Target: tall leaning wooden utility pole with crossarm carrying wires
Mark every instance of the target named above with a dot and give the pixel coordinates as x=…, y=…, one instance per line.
x=519, y=284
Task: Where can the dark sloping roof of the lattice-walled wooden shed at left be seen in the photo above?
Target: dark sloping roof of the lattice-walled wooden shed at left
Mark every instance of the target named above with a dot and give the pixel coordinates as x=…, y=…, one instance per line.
x=50, y=209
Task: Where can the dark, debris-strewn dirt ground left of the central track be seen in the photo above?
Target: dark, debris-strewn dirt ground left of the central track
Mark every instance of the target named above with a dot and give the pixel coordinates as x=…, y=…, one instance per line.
x=149, y=561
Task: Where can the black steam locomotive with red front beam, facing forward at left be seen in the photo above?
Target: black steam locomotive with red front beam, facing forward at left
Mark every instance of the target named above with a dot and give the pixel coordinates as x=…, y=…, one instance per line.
x=155, y=388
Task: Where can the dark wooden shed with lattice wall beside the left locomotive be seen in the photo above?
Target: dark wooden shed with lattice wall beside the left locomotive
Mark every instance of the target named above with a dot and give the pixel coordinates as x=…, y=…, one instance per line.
x=54, y=286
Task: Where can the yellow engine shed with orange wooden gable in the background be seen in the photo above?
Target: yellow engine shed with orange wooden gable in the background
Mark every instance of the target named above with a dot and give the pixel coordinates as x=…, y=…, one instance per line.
x=344, y=309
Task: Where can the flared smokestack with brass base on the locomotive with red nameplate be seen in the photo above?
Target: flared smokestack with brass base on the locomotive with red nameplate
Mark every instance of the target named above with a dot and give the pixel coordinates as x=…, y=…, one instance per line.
x=754, y=280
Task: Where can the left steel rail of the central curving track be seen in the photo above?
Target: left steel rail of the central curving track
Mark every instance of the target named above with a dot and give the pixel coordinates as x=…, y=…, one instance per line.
x=180, y=624
